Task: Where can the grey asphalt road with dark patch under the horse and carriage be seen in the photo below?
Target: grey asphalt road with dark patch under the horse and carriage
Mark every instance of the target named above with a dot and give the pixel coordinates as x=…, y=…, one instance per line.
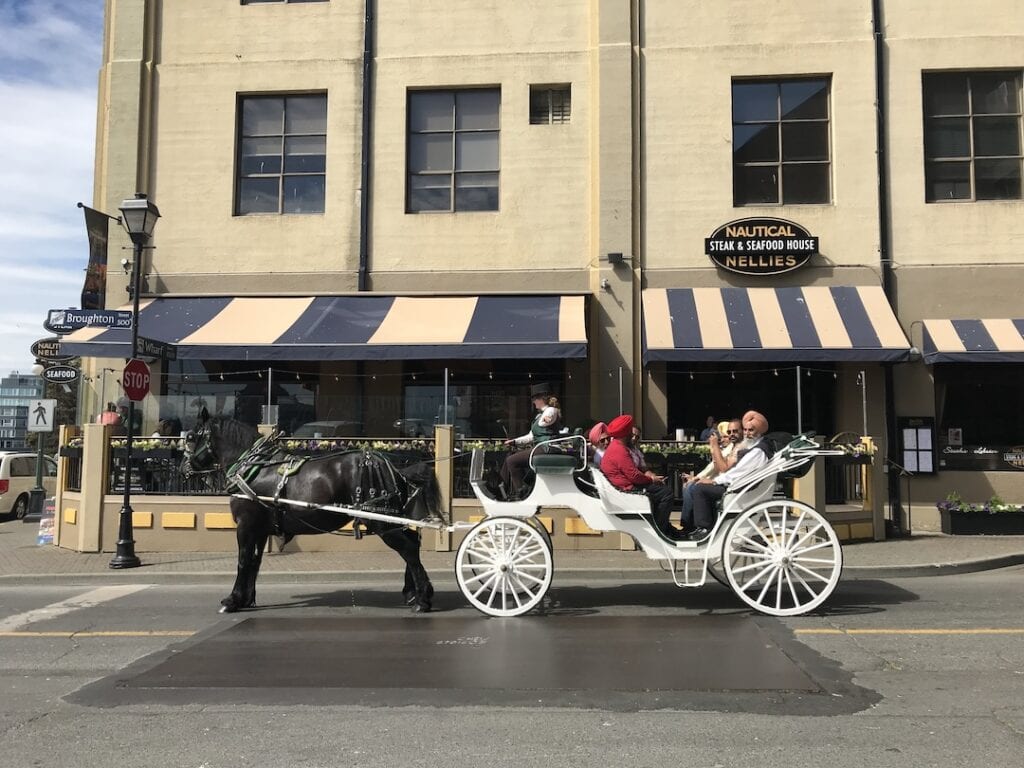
x=919, y=672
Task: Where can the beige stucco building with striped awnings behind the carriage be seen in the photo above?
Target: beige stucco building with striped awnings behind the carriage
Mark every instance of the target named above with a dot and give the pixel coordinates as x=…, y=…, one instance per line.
x=889, y=133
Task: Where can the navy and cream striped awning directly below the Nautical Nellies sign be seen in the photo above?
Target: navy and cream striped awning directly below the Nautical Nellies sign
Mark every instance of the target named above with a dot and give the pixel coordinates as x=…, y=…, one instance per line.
x=819, y=323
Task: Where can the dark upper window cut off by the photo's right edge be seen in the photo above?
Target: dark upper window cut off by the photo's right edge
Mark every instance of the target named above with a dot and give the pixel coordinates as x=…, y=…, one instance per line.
x=972, y=136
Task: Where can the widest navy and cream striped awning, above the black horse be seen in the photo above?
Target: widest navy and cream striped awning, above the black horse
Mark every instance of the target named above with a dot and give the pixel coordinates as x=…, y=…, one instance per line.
x=365, y=327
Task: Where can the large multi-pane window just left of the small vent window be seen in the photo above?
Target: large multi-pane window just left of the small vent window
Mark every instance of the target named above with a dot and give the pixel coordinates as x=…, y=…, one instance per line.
x=453, y=156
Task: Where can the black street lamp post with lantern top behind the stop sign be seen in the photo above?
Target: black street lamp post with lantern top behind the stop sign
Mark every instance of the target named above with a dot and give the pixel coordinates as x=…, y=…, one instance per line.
x=139, y=217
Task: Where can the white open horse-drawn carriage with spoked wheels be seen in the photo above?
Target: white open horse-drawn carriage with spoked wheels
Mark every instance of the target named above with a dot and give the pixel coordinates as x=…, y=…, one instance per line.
x=780, y=557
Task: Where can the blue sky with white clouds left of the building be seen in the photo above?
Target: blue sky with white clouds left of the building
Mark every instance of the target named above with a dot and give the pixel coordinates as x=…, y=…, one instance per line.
x=50, y=64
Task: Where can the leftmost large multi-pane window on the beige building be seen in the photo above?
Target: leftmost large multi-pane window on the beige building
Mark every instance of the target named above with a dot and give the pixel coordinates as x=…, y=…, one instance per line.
x=282, y=154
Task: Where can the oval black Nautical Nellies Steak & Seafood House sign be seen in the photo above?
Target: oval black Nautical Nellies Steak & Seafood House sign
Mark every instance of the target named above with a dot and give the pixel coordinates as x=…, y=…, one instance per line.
x=761, y=246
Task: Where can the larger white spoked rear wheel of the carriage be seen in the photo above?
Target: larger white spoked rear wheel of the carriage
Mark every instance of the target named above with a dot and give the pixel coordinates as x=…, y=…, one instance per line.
x=783, y=559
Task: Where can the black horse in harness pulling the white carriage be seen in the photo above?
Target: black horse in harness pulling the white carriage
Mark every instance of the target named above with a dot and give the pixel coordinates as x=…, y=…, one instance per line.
x=362, y=480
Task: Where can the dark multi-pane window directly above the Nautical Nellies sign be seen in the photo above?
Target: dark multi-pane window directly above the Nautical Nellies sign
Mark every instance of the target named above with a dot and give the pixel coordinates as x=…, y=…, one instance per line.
x=781, y=148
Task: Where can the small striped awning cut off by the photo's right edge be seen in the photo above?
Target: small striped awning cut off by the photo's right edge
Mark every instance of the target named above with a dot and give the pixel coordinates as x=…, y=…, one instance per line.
x=974, y=342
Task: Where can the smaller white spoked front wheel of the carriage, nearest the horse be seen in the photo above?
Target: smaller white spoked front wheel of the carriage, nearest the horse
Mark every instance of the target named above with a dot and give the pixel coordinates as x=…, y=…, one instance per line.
x=504, y=567
